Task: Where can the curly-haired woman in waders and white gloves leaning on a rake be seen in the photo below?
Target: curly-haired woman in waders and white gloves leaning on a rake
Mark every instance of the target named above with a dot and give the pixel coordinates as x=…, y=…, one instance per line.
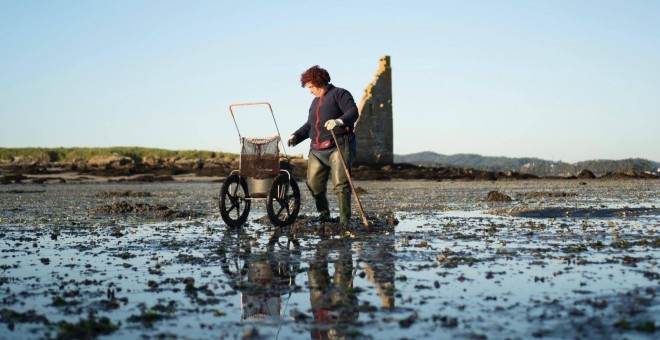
x=333, y=109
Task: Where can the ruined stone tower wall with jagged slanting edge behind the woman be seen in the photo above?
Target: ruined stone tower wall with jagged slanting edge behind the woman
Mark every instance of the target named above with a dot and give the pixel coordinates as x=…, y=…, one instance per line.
x=373, y=129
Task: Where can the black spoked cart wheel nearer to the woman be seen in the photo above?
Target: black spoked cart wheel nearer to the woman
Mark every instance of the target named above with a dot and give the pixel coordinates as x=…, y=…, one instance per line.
x=283, y=202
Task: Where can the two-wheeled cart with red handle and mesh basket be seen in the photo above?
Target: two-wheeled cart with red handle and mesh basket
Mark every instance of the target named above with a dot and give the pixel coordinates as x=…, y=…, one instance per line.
x=261, y=176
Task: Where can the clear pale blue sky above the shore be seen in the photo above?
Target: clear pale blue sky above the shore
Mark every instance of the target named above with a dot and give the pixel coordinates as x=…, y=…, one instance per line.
x=559, y=80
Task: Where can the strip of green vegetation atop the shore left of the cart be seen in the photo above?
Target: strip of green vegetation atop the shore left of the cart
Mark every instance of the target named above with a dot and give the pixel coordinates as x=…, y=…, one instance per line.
x=72, y=154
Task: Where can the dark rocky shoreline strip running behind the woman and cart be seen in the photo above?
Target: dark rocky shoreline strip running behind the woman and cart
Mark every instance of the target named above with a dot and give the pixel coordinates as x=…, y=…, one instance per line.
x=125, y=170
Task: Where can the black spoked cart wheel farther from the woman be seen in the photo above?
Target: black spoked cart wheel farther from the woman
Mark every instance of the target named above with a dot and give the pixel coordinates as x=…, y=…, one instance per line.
x=234, y=207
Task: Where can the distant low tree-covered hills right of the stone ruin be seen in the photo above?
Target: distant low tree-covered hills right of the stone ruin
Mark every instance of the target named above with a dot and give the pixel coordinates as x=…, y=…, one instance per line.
x=535, y=166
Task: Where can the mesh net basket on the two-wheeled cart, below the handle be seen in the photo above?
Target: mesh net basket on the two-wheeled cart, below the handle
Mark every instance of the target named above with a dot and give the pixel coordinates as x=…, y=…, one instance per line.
x=260, y=157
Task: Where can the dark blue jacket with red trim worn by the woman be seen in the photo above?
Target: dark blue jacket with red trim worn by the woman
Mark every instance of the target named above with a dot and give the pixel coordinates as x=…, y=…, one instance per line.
x=335, y=103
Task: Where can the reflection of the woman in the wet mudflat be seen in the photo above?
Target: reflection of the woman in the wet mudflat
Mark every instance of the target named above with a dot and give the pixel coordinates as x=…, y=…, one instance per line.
x=333, y=300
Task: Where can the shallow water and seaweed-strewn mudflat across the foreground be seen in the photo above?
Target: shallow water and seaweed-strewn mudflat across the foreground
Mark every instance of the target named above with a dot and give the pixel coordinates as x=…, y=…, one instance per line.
x=582, y=264
